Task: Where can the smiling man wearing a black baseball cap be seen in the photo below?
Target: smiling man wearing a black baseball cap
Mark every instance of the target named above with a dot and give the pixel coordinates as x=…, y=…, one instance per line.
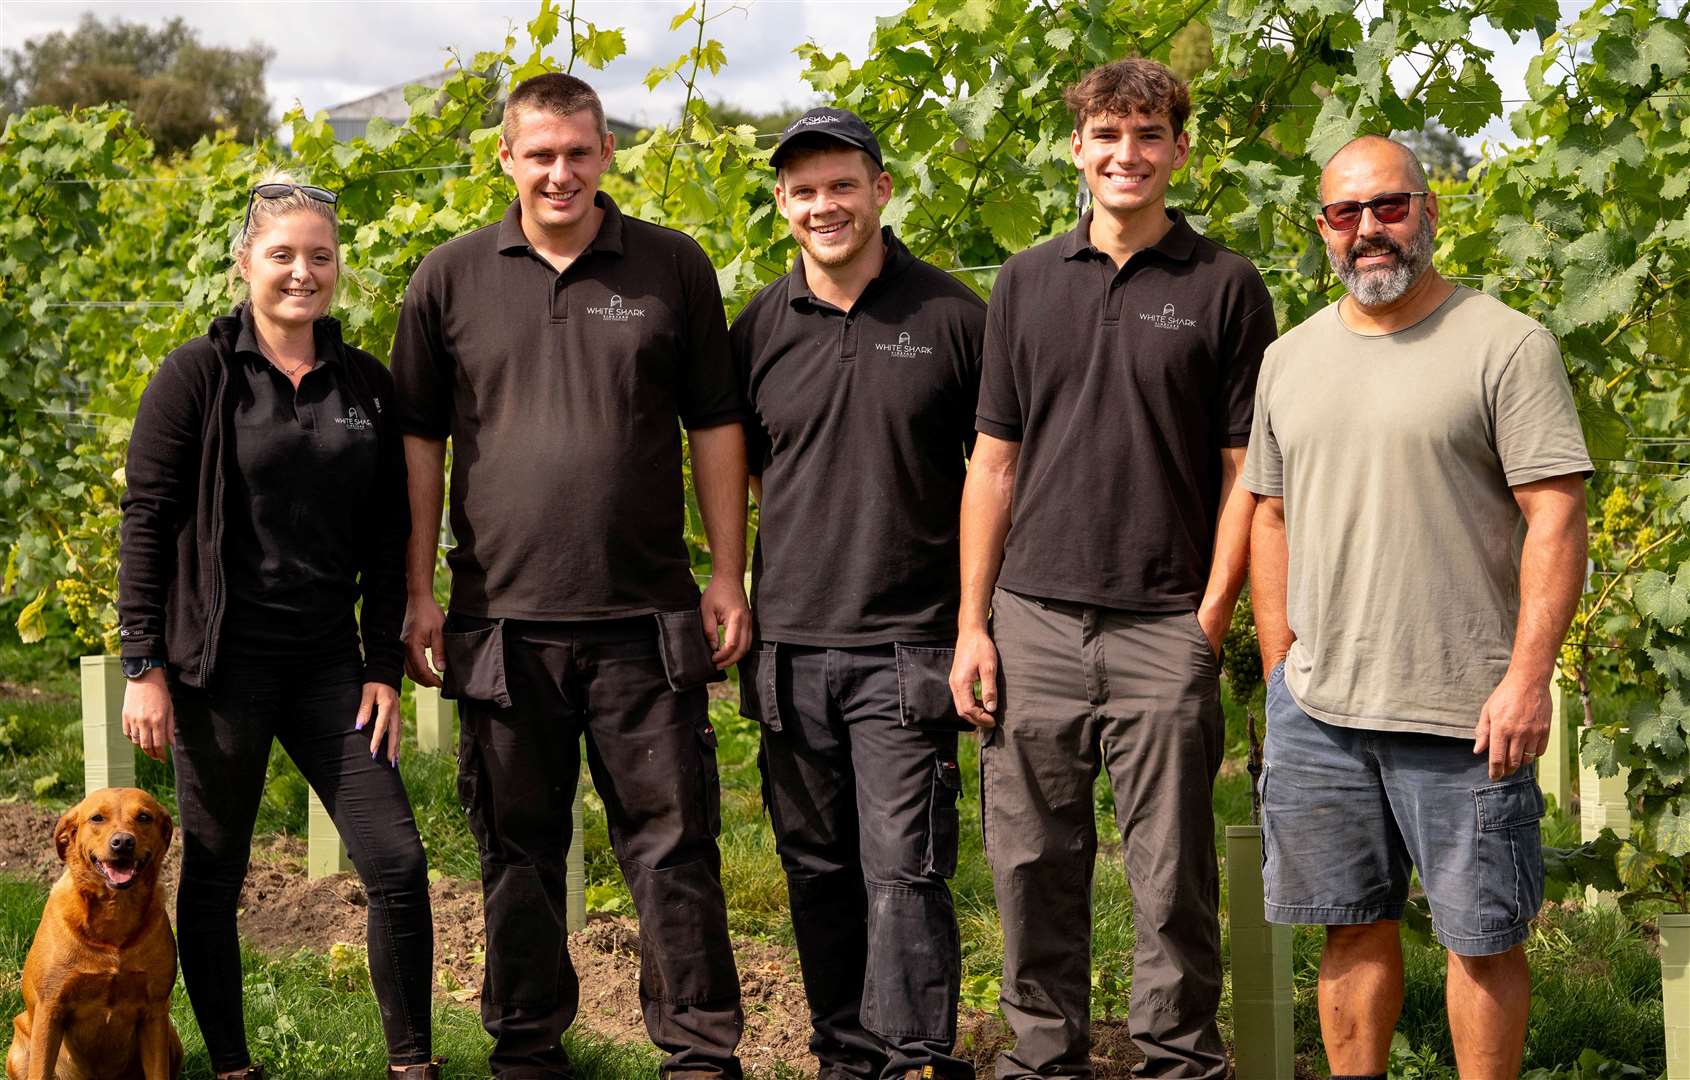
x=861, y=368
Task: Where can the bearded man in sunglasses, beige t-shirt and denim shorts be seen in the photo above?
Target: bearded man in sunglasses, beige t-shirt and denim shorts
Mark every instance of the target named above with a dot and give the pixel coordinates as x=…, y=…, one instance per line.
x=1417, y=555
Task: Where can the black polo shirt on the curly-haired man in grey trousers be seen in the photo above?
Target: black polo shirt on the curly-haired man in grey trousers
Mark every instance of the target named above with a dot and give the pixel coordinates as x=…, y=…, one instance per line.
x=1121, y=388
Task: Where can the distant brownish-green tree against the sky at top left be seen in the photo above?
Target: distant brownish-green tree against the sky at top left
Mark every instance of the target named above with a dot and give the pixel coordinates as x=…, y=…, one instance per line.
x=177, y=87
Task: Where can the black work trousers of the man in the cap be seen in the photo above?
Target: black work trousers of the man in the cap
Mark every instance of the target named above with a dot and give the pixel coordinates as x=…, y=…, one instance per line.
x=859, y=768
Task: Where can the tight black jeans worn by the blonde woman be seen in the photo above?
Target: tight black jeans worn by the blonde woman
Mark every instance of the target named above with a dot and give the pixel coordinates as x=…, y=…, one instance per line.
x=222, y=750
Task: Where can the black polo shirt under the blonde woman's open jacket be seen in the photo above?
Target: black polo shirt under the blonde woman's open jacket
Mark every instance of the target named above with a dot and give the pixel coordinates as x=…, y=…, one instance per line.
x=305, y=471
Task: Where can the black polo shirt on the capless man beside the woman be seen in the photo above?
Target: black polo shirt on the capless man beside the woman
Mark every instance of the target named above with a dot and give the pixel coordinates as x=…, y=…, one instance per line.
x=560, y=395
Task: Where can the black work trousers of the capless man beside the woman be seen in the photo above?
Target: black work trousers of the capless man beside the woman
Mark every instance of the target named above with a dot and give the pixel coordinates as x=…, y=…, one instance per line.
x=528, y=692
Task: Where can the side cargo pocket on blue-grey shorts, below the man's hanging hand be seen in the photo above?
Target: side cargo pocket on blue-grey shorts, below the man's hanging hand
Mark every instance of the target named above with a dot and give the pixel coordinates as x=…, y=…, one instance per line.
x=1510, y=888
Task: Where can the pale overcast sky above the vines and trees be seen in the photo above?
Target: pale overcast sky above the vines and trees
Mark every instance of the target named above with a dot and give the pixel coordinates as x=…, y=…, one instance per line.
x=332, y=52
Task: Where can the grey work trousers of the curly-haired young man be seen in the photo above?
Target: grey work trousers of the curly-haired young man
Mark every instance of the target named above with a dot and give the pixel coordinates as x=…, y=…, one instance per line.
x=1138, y=694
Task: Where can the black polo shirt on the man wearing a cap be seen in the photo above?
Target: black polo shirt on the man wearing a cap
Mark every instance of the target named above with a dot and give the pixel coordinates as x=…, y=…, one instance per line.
x=863, y=427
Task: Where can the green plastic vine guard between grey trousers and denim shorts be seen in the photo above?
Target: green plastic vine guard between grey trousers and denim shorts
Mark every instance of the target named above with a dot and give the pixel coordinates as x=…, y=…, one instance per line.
x=1262, y=966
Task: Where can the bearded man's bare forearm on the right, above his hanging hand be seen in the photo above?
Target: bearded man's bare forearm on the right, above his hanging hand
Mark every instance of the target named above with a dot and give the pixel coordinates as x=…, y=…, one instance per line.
x=1552, y=574
